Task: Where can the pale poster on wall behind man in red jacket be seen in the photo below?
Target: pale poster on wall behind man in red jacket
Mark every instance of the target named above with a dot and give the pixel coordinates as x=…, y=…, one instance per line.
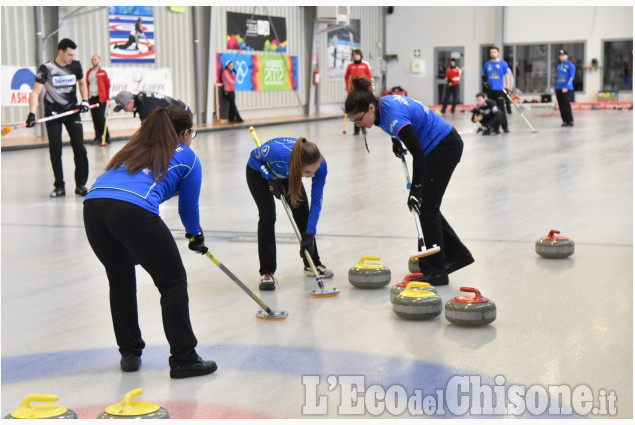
x=341, y=42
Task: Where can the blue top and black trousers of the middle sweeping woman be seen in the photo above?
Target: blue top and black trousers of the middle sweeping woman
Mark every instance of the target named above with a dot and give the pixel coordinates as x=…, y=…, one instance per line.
x=277, y=152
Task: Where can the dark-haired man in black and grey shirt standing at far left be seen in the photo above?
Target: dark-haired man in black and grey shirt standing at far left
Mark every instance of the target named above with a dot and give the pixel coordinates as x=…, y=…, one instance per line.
x=60, y=77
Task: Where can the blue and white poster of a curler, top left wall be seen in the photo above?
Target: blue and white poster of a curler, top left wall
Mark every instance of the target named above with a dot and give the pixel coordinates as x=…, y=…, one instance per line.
x=131, y=34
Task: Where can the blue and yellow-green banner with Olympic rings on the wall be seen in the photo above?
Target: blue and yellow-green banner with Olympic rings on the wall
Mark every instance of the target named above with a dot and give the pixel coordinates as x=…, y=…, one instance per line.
x=261, y=72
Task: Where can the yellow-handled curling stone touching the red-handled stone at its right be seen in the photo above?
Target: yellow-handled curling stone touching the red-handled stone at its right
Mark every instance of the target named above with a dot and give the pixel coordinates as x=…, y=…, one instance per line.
x=417, y=302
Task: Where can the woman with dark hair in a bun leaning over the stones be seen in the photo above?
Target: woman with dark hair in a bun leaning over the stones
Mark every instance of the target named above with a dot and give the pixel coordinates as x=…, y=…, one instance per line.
x=436, y=149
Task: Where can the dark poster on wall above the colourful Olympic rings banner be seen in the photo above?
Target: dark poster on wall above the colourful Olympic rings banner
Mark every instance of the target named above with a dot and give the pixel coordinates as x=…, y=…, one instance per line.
x=256, y=32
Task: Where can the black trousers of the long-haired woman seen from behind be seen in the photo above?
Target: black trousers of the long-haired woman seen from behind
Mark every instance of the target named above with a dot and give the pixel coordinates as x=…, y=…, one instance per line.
x=122, y=235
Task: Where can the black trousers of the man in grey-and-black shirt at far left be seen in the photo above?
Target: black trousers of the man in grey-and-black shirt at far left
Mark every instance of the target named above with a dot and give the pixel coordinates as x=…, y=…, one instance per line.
x=75, y=129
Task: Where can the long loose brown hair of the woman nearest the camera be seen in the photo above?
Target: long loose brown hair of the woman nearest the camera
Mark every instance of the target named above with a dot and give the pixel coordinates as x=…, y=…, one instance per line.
x=153, y=145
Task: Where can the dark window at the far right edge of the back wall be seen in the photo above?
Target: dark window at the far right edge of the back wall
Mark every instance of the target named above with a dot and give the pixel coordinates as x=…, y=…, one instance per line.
x=617, y=71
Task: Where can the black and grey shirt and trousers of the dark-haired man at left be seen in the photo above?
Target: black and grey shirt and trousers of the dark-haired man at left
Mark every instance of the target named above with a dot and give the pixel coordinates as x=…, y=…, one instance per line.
x=60, y=83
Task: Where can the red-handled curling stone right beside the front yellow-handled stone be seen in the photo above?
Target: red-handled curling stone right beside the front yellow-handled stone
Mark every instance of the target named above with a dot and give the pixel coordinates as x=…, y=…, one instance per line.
x=470, y=311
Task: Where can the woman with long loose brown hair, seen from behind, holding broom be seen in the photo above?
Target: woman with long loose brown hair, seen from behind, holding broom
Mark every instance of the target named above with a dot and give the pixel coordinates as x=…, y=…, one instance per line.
x=123, y=226
